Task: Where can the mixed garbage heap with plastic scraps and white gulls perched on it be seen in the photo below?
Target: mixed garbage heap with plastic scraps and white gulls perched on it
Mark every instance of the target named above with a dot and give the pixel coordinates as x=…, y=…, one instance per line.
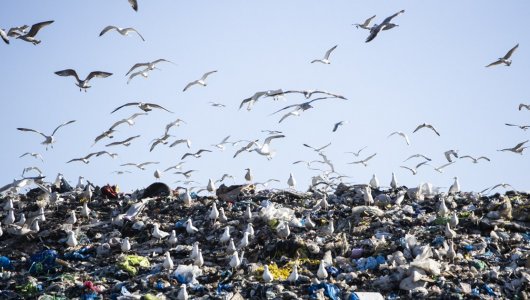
x=238, y=242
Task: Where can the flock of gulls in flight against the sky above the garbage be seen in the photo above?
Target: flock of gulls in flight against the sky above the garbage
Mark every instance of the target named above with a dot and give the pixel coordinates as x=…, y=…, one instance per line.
x=312, y=97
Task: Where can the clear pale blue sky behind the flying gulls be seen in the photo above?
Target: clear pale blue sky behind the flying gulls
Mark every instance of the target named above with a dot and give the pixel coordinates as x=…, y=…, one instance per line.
x=429, y=69
